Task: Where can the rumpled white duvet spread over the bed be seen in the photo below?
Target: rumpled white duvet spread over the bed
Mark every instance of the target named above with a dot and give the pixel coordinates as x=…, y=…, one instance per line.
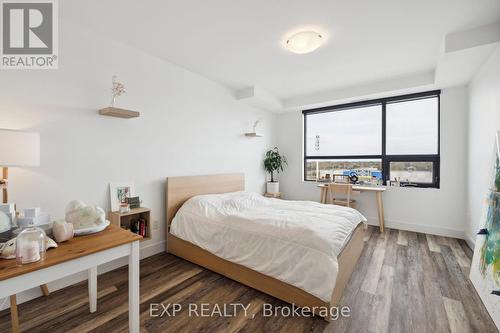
x=293, y=241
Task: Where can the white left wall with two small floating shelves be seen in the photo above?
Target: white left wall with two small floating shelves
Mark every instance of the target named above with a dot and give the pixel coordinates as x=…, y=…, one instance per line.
x=188, y=125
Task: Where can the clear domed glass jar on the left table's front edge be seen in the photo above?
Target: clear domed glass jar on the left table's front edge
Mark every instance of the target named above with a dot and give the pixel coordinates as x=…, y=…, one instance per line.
x=30, y=245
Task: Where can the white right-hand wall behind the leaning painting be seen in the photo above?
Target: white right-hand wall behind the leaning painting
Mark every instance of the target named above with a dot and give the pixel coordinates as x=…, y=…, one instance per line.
x=484, y=122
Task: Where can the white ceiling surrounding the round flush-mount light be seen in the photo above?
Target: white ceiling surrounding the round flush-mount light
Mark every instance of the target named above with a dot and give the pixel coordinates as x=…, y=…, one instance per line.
x=239, y=44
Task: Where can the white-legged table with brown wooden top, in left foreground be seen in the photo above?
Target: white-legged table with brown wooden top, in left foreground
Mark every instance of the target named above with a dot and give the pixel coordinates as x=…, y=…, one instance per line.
x=76, y=255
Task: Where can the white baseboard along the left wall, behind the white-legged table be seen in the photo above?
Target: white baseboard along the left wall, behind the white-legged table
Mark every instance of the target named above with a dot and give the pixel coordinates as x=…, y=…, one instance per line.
x=146, y=251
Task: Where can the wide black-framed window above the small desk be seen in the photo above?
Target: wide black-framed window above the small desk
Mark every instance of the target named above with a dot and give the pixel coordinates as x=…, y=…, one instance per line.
x=389, y=139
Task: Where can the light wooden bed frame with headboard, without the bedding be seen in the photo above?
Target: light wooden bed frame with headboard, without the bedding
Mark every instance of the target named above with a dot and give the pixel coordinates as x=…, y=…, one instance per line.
x=180, y=189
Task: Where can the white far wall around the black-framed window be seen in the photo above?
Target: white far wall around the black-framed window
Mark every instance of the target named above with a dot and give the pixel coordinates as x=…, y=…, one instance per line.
x=437, y=211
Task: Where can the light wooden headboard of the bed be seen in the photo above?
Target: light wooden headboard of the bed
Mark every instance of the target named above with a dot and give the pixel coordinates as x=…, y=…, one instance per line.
x=180, y=189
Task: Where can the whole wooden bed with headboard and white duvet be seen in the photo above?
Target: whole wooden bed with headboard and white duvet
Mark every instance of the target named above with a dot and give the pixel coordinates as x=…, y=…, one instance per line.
x=203, y=230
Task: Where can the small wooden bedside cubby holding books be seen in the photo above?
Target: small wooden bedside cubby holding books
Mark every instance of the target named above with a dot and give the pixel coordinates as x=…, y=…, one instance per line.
x=133, y=221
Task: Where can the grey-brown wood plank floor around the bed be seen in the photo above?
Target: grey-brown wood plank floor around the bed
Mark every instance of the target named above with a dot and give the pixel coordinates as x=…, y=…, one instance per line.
x=404, y=282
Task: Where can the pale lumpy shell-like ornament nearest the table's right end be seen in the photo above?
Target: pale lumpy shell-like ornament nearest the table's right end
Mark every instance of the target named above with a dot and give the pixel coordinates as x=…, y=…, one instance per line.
x=84, y=217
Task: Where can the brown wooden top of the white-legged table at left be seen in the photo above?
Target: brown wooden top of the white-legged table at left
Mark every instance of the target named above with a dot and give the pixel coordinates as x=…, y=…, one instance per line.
x=77, y=247
